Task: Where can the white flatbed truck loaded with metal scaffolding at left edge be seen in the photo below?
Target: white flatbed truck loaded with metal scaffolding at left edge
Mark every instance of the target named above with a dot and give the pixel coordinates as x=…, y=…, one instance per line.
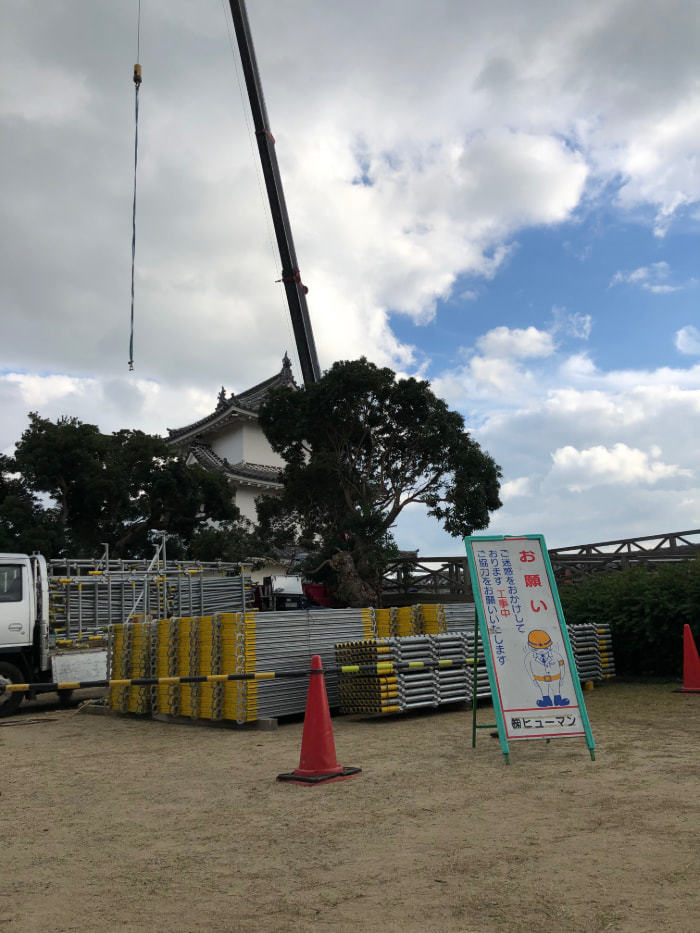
x=56, y=616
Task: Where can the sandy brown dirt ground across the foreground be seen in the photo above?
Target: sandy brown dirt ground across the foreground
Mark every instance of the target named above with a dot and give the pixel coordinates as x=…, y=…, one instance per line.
x=115, y=823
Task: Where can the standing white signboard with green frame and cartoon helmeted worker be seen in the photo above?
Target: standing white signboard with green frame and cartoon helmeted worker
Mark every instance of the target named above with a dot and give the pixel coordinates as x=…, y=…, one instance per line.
x=534, y=683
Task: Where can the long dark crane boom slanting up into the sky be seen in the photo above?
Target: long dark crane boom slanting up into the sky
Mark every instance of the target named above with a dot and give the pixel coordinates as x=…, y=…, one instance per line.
x=296, y=291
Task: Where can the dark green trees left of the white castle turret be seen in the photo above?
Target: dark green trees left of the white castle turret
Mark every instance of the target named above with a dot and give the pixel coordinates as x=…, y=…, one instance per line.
x=117, y=488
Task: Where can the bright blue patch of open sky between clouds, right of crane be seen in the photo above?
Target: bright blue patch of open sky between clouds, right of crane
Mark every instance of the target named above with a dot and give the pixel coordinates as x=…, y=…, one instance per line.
x=573, y=268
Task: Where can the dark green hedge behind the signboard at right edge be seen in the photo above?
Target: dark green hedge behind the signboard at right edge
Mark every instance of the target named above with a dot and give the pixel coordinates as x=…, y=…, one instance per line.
x=646, y=610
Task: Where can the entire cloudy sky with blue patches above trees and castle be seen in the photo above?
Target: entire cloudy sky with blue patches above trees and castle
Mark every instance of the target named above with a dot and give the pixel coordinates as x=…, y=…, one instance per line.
x=500, y=197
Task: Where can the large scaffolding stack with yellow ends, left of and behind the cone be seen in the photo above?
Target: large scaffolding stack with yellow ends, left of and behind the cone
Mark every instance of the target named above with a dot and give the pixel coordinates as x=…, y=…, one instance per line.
x=229, y=643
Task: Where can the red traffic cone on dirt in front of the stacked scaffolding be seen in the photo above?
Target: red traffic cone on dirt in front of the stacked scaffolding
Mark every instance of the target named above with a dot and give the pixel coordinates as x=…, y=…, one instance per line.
x=317, y=762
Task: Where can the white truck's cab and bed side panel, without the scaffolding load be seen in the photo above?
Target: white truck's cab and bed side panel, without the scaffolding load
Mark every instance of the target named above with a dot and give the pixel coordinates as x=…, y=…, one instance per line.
x=29, y=649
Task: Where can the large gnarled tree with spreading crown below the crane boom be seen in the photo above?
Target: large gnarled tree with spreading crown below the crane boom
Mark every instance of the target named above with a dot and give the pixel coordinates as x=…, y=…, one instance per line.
x=360, y=445
